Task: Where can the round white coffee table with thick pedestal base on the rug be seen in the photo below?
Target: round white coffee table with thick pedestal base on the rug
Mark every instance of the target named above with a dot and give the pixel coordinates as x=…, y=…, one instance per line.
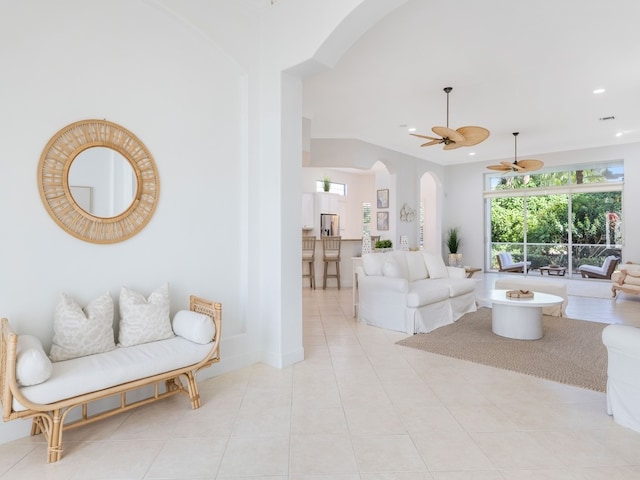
x=519, y=318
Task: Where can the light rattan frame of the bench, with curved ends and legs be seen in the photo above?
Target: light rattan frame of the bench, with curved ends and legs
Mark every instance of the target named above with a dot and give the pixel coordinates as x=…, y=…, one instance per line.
x=49, y=418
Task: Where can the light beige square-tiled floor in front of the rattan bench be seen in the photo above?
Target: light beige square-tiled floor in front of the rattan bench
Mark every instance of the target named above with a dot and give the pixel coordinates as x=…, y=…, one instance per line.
x=358, y=408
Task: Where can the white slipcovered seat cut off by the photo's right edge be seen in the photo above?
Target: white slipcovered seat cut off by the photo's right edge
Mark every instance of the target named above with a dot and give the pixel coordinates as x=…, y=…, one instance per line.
x=623, y=370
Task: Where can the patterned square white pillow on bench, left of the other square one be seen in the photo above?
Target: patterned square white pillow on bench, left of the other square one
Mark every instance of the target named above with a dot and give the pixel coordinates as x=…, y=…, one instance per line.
x=82, y=331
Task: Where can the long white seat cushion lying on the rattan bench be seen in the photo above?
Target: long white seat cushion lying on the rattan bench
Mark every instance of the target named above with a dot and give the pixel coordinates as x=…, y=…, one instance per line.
x=91, y=373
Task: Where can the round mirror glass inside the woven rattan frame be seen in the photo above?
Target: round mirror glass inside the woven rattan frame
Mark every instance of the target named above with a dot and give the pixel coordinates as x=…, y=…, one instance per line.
x=102, y=182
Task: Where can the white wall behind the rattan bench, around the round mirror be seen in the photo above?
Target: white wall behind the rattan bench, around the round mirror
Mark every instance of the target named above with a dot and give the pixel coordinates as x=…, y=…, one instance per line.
x=183, y=97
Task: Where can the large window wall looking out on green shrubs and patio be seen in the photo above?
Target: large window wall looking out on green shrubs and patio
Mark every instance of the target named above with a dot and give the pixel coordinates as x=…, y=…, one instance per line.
x=565, y=218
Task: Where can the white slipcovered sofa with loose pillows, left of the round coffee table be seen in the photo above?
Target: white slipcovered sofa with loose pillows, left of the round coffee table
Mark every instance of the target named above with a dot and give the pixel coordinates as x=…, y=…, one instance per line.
x=412, y=292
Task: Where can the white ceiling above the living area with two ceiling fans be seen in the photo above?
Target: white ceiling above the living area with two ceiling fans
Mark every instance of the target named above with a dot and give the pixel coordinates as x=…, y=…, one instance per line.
x=514, y=65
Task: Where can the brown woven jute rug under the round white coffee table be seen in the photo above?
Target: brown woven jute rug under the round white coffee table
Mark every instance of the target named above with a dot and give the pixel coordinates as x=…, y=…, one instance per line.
x=570, y=352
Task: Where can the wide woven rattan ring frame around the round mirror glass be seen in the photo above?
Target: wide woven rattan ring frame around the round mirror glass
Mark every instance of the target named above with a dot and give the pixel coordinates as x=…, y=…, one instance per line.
x=56, y=193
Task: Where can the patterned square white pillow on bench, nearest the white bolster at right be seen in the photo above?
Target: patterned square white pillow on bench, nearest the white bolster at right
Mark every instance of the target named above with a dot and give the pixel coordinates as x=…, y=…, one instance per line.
x=143, y=319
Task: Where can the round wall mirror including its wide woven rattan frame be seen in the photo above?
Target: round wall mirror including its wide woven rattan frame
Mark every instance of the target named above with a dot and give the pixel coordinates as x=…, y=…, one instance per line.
x=98, y=181
